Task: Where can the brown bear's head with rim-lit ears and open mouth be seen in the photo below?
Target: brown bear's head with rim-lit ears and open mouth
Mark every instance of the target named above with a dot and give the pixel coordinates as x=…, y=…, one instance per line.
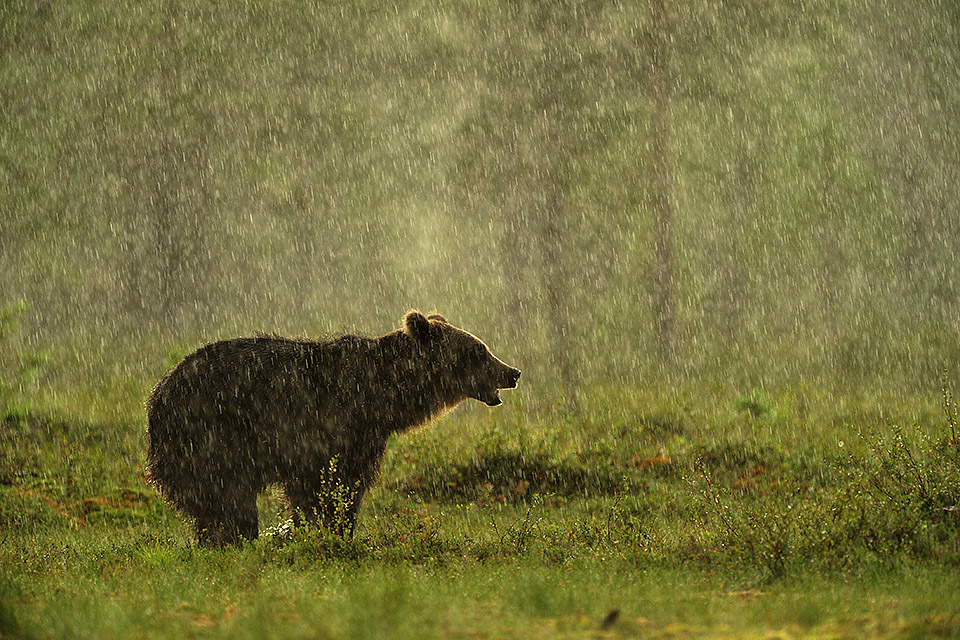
x=462, y=362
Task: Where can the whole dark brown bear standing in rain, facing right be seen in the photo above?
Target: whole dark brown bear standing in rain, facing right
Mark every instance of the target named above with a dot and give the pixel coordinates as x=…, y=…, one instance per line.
x=237, y=415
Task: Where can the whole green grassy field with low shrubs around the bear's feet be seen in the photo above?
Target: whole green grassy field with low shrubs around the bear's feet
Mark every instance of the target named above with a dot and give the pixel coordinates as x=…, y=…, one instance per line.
x=693, y=515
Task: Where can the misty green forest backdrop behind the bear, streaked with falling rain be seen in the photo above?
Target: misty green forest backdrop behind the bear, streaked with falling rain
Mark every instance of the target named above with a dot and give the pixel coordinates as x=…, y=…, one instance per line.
x=730, y=194
